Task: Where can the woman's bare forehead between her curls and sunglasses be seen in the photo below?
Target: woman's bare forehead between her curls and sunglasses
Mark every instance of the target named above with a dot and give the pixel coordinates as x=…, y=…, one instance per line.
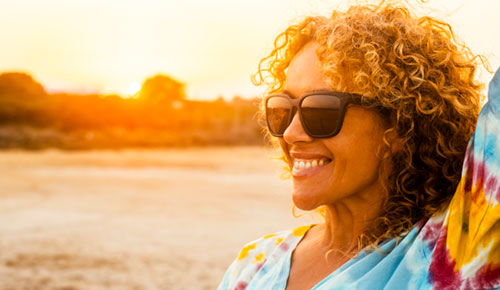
x=304, y=72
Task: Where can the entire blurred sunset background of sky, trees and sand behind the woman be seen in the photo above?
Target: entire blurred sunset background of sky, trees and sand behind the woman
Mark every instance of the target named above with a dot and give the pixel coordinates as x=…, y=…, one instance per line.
x=131, y=151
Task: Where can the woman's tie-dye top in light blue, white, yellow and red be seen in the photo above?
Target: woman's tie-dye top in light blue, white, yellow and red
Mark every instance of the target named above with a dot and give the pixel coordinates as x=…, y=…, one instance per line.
x=457, y=249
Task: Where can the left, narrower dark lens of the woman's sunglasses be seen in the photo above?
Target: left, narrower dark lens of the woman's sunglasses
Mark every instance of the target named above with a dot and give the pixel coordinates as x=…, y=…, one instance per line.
x=278, y=114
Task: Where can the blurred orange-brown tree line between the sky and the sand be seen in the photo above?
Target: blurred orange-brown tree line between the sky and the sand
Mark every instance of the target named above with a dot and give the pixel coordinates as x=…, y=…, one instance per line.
x=159, y=116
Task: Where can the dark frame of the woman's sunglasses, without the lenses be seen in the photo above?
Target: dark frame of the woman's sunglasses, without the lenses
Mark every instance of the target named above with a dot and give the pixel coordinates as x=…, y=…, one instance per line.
x=296, y=103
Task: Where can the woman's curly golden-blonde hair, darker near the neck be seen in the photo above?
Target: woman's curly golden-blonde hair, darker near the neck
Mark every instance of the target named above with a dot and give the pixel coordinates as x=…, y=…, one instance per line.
x=420, y=75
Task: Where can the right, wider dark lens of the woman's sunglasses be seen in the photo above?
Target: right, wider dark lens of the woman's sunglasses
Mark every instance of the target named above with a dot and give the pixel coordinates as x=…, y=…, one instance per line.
x=321, y=114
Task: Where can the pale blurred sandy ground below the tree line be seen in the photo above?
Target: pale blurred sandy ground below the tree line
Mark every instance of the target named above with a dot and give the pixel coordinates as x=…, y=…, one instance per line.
x=135, y=219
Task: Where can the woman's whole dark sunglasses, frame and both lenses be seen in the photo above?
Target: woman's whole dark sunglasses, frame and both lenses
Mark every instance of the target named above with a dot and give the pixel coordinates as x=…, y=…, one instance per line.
x=321, y=113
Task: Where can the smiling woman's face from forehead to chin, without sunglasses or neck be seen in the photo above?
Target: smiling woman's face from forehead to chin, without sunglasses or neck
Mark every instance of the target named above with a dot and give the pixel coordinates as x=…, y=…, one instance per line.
x=343, y=168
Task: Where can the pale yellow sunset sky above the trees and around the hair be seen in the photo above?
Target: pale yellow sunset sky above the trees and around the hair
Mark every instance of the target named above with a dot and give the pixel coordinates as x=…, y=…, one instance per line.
x=109, y=47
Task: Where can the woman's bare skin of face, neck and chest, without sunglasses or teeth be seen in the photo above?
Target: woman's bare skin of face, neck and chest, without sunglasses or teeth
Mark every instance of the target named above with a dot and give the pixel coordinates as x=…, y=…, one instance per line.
x=349, y=184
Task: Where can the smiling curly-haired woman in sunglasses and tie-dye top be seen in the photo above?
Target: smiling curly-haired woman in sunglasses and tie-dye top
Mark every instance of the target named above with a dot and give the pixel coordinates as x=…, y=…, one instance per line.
x=373, y=109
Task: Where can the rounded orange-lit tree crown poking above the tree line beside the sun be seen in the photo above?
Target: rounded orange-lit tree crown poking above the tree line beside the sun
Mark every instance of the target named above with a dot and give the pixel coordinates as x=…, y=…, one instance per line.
x=162, y=89
